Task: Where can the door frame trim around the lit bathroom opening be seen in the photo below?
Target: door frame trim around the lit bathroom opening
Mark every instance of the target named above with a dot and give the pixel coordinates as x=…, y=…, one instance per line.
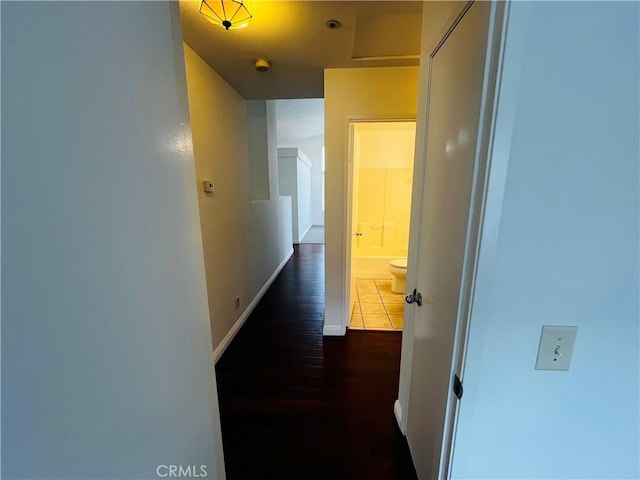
x=348, y=203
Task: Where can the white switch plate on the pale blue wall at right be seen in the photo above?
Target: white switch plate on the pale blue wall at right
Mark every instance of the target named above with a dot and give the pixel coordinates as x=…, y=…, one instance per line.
x=556, y=347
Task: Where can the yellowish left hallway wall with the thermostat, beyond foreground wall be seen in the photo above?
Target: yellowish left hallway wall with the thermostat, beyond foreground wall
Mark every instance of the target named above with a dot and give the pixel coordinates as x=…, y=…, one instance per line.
x=244, y=241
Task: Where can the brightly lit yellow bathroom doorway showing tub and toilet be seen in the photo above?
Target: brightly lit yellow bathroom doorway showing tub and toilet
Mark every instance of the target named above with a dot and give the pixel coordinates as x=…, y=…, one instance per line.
x=379, y=198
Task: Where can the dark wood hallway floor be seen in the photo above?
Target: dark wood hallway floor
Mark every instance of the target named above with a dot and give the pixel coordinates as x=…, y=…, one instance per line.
x=295, y=405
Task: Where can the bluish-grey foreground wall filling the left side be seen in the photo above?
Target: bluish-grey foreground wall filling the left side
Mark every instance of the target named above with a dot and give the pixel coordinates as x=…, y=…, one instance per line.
x=106, y=351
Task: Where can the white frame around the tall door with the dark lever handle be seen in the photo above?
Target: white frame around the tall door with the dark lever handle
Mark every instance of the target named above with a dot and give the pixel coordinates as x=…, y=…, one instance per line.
x=488, y=109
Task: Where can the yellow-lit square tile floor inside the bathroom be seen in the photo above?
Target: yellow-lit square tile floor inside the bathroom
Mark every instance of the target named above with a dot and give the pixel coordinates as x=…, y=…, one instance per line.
x=376, y=306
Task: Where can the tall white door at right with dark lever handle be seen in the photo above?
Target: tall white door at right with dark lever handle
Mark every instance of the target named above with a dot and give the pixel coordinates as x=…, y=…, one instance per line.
x=457, y=71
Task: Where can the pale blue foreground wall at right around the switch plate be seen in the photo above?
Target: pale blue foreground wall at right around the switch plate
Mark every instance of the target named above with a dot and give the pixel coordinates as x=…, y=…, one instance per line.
x=560, y=246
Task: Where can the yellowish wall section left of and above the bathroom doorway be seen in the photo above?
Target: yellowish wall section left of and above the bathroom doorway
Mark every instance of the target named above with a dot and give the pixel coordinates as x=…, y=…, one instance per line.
x=362, y=93
